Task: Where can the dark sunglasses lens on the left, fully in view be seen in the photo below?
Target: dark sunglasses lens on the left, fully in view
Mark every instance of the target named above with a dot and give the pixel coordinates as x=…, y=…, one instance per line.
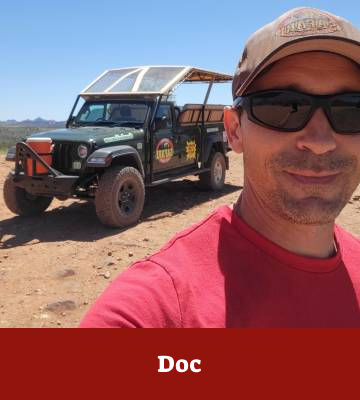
x=281, y=110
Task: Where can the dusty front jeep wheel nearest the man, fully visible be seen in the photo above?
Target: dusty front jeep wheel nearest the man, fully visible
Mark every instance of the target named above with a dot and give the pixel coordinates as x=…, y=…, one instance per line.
x=119, y=200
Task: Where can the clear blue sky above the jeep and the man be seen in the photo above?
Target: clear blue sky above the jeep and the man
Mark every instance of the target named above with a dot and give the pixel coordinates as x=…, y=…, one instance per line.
x=51, y=50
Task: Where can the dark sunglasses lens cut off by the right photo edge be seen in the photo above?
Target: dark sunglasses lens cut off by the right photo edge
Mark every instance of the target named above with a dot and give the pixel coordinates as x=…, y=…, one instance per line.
x=345, y=113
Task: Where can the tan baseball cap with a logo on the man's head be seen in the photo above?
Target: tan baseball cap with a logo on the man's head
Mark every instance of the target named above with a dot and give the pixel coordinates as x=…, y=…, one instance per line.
x=296, y=31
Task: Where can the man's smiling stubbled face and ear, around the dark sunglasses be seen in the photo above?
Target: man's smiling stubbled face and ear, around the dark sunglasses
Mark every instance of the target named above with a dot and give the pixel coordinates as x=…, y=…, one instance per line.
x=308, y=176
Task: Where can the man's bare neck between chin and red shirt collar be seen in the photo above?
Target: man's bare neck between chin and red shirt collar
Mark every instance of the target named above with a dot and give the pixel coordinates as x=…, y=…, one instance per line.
x=306, y=240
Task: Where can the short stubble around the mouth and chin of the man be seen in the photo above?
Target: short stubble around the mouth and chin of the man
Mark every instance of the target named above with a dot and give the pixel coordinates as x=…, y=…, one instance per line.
x=314, y=204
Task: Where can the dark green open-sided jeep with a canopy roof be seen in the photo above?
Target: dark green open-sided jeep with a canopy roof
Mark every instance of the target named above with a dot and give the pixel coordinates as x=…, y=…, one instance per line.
x=123, y=134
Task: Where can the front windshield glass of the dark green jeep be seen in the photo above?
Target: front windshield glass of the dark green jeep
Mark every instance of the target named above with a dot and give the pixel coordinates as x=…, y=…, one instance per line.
x=112, y=113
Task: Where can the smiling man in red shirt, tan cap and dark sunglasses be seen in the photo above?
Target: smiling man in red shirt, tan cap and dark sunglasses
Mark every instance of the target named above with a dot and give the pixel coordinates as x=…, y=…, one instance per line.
x=276, y=259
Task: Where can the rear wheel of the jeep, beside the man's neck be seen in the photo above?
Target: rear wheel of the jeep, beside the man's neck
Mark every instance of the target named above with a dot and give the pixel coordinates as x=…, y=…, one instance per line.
x=215, y=178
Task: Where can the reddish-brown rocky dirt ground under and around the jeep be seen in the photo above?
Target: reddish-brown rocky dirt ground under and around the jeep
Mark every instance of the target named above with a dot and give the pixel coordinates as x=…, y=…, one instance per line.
x=53, y=267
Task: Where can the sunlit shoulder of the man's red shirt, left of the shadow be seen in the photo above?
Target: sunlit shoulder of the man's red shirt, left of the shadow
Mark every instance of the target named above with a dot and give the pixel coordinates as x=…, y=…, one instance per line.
x=163, y=289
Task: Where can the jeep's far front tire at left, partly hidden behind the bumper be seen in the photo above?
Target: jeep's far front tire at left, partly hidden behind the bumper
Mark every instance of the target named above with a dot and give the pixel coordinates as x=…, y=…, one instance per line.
x=20, y=202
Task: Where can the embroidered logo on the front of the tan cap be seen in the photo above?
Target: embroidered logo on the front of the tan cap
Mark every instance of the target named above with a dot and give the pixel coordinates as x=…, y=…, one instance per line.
x=305, y=22
